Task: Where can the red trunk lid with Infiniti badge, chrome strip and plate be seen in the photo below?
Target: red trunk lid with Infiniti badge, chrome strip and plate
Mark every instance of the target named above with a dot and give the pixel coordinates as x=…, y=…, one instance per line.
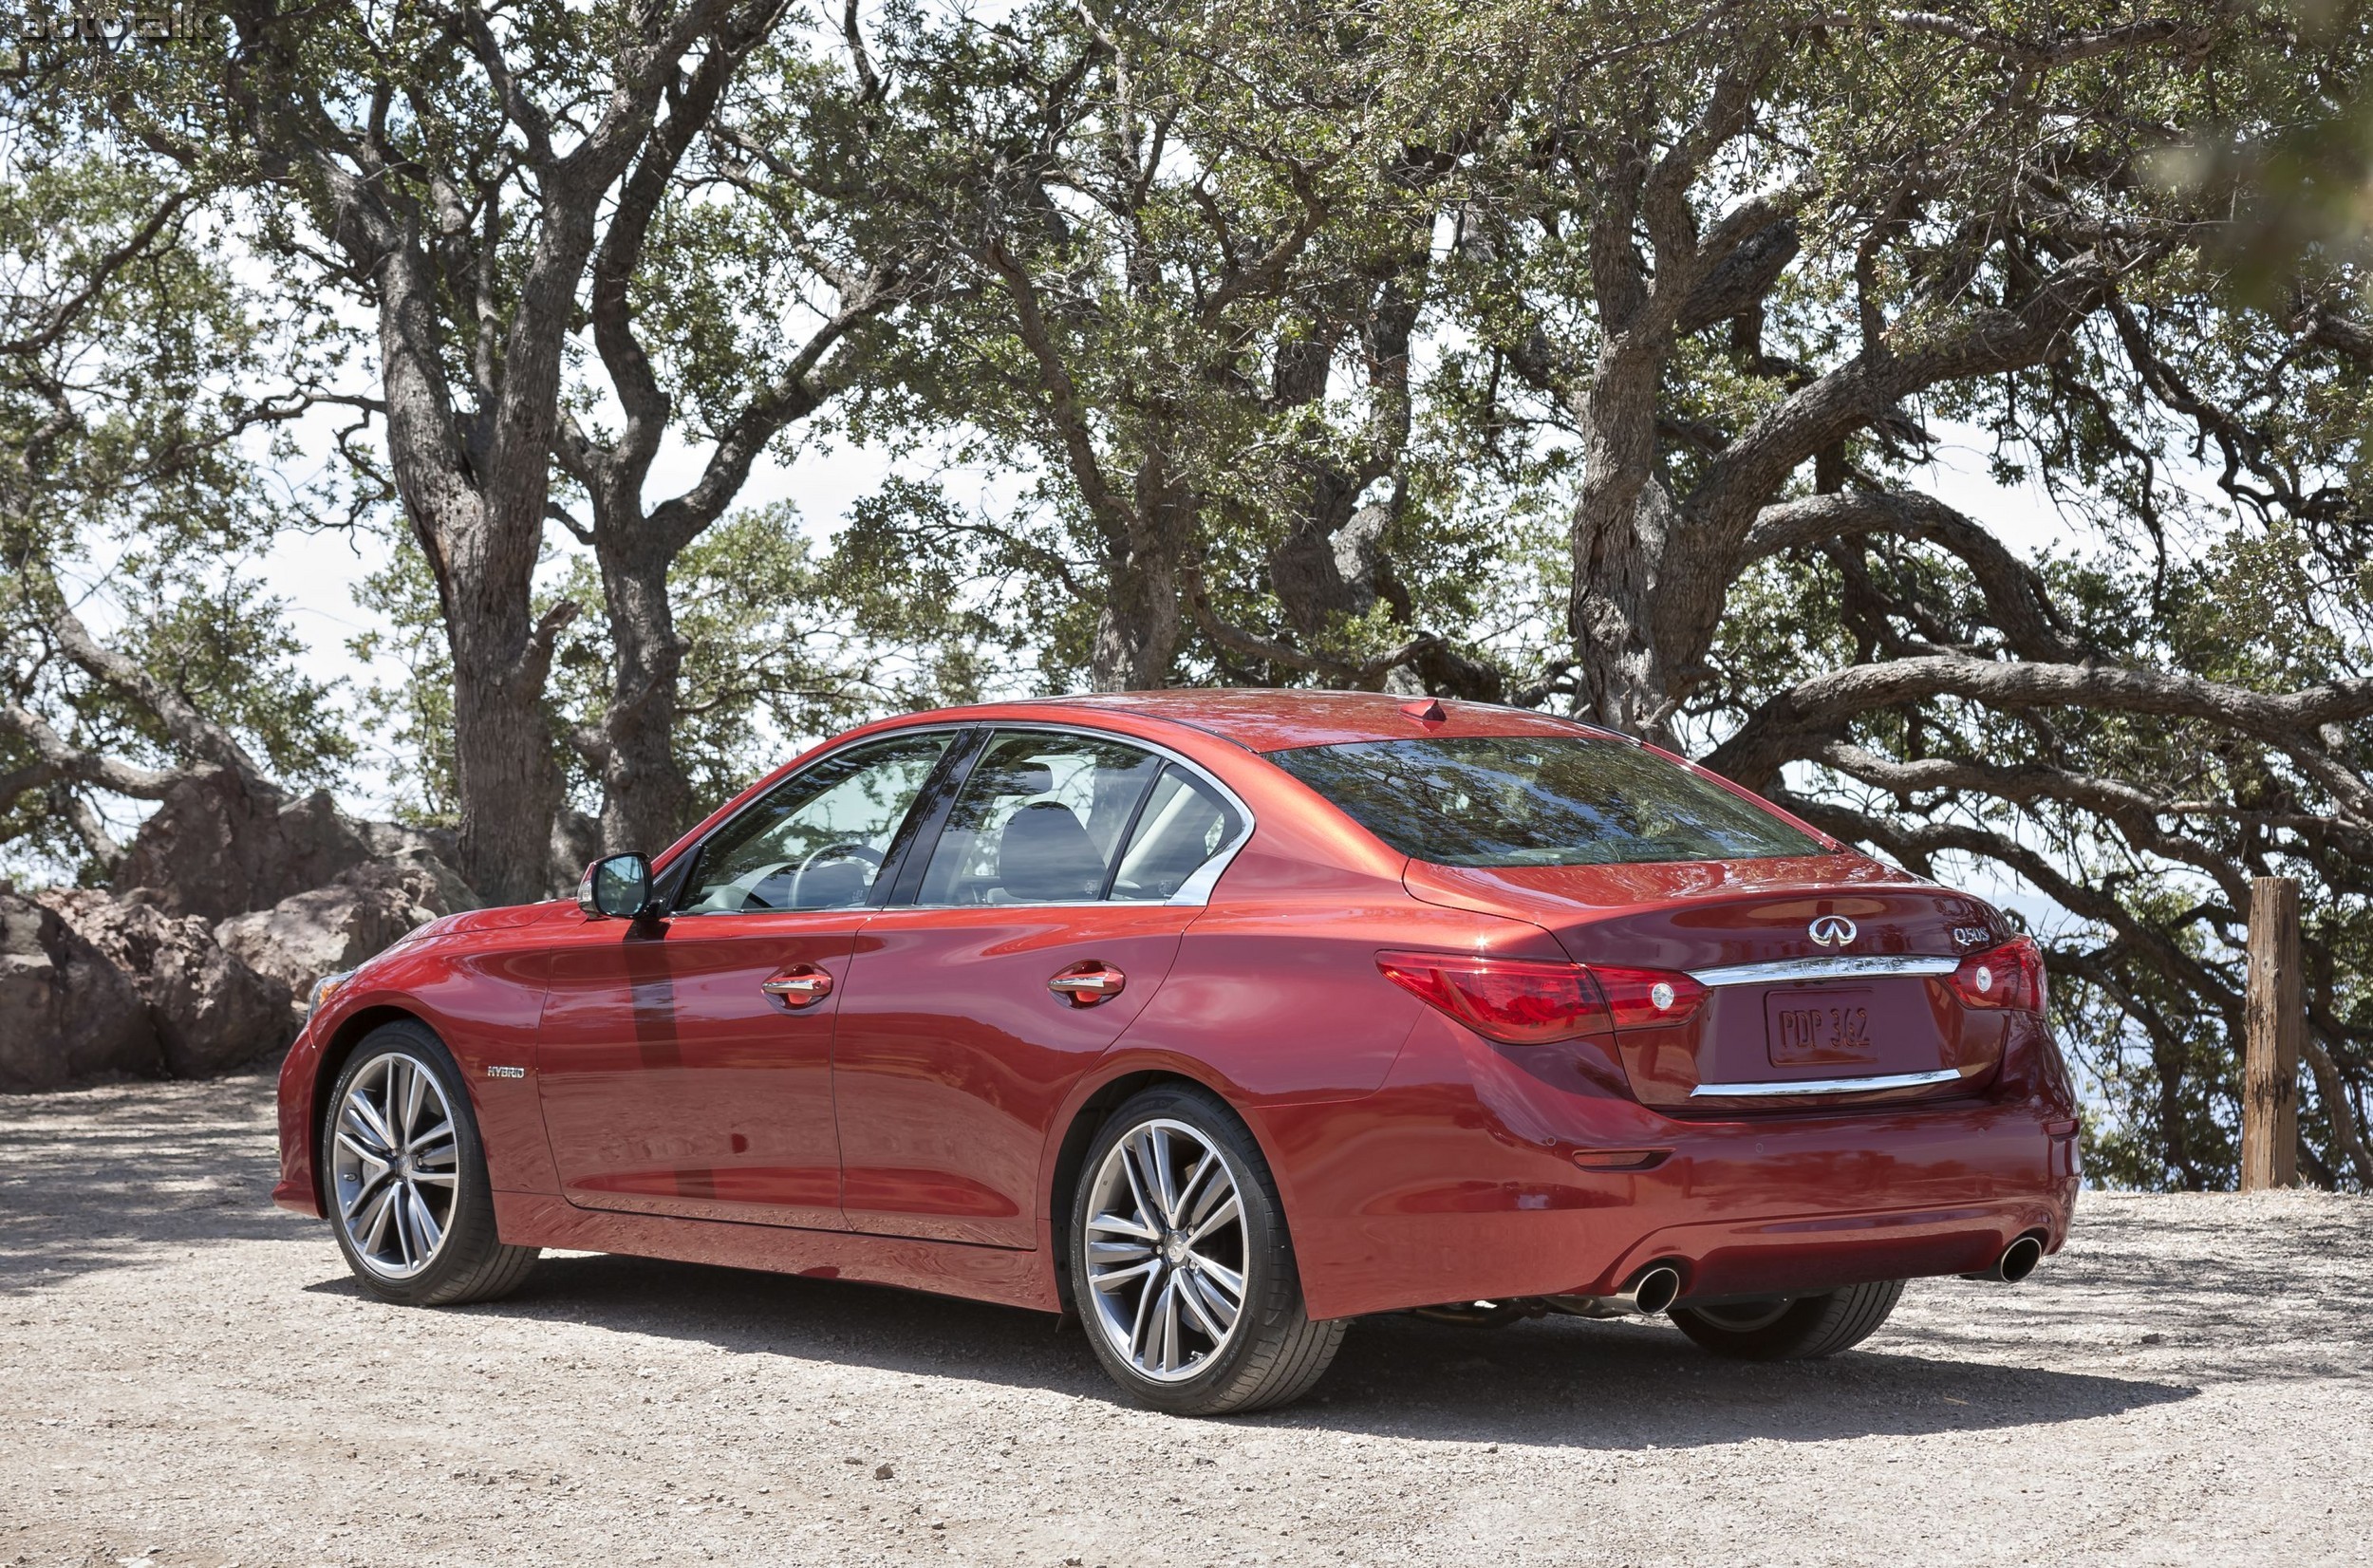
x=1790, y=1021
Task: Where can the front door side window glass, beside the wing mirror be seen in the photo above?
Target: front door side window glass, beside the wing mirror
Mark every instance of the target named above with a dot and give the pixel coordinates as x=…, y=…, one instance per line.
x=820, y=836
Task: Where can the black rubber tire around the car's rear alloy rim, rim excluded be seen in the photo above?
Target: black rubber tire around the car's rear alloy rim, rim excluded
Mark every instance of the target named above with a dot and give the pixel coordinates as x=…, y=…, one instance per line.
x=1273, y=1353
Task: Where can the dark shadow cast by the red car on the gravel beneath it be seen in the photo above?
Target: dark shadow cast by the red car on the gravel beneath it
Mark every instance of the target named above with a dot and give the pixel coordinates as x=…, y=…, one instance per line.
x=1556, y=1382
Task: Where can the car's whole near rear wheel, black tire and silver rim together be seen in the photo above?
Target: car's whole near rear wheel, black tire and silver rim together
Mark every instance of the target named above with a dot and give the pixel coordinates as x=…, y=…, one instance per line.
x=1183, y=1268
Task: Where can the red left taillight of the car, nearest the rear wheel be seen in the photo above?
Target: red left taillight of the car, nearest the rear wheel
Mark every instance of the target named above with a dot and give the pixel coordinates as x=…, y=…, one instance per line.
x=1525, y=1002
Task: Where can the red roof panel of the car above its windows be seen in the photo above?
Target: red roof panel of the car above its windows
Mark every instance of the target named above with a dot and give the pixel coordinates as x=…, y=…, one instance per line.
x=1273, y=720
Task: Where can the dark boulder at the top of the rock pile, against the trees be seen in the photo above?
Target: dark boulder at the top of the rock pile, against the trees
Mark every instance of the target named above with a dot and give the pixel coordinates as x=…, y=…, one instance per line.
x=217, y=850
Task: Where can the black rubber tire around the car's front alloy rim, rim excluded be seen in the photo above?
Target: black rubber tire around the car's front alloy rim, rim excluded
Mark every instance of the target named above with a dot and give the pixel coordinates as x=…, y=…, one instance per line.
x=469, y=1261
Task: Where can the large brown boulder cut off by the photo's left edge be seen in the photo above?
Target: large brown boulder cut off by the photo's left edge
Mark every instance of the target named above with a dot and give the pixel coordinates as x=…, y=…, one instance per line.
x=65, y=1009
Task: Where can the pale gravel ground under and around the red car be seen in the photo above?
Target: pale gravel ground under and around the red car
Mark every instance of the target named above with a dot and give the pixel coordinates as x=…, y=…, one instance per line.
x=189, y=1377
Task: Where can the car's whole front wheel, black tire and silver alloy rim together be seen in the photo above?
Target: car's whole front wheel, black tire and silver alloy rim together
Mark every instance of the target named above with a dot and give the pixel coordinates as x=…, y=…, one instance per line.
x=407, y=1178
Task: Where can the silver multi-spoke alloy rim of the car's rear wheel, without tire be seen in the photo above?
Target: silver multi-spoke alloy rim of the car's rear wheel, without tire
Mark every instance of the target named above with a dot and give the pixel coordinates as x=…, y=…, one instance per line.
x=1164, y=1251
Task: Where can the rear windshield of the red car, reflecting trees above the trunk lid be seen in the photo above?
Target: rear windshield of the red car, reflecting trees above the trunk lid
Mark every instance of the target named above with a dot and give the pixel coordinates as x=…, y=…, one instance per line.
x=1539, y=801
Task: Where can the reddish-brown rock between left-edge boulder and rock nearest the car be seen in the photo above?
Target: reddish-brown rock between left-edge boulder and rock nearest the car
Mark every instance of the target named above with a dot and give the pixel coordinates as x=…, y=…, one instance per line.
x=210, y=1009
